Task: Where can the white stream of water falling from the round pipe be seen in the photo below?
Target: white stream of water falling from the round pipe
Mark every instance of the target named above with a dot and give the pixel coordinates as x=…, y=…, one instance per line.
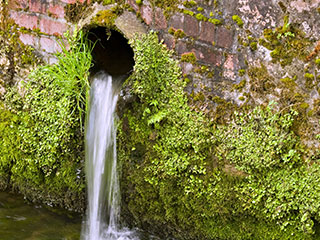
x=103, y=211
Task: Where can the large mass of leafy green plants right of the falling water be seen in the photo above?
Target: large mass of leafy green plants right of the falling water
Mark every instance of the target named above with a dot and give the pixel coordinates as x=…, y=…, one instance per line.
x=196, y=179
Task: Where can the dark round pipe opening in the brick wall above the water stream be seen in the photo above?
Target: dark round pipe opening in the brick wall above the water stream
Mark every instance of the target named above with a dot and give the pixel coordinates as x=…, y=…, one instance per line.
x=111, y=53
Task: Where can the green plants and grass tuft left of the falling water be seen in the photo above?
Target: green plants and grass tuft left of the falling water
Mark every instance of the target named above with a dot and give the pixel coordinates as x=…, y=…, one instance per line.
x=45, y=161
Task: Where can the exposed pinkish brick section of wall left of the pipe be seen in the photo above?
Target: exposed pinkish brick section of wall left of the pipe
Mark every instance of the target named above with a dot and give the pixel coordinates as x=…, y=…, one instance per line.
x=42, y=23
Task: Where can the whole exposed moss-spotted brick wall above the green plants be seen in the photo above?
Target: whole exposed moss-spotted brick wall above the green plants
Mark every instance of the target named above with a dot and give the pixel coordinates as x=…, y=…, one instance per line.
x=237, y=52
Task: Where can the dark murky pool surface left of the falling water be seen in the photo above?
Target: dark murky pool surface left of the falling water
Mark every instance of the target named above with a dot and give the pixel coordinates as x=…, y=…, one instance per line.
x=22, y=221
